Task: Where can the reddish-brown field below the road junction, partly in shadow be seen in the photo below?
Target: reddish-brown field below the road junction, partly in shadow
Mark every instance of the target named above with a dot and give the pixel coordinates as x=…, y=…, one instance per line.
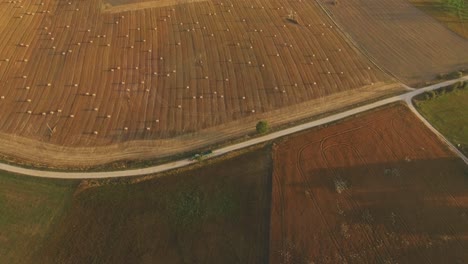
x=380, y=188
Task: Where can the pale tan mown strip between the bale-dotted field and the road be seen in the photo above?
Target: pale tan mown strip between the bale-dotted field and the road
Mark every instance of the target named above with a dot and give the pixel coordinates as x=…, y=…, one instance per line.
x=59, y=156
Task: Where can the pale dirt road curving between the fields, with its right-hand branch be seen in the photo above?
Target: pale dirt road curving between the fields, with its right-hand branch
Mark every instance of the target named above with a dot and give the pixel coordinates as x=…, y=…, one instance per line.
x=218, y=152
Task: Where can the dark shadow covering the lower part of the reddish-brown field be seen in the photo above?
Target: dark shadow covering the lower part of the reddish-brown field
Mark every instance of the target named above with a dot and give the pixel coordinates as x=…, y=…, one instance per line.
x=413, y=211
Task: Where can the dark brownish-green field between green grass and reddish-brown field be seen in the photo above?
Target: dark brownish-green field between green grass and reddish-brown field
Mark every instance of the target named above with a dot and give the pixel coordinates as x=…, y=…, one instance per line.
x=212, y=214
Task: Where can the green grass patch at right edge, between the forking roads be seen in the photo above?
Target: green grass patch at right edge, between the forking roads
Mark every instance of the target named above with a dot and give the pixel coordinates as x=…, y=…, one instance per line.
x=448, y=113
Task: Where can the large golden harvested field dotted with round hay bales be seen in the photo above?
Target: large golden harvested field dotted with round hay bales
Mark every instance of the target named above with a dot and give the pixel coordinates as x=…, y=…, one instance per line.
x=78, y=73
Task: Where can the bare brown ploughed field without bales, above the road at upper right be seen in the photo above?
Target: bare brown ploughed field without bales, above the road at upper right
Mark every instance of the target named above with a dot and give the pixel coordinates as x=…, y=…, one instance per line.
x=401, y=38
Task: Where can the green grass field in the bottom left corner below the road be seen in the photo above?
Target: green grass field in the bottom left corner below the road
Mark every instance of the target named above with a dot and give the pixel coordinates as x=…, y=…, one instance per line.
x=29, y=210
